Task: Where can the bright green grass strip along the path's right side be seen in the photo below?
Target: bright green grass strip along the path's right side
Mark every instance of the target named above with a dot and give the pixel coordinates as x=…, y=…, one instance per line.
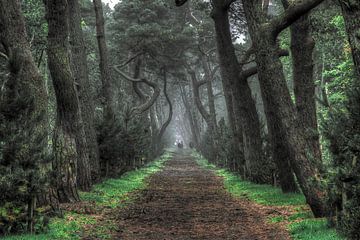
x=302, y=225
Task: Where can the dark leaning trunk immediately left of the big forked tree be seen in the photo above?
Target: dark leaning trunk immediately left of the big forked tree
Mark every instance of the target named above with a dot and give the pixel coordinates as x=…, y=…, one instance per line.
x=245, y=108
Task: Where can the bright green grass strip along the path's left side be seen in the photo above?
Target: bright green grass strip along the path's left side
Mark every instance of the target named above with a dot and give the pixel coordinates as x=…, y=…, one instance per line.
x=111, y=193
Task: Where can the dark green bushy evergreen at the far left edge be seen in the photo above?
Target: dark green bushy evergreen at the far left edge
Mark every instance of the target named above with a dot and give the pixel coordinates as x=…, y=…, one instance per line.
x=23, y=156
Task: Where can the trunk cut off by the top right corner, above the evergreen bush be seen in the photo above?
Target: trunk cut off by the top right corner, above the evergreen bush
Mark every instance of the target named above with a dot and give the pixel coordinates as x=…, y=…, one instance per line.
x=351, y=13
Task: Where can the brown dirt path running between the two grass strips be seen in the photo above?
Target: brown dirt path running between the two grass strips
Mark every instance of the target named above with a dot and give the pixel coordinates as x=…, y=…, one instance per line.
x=185, y=201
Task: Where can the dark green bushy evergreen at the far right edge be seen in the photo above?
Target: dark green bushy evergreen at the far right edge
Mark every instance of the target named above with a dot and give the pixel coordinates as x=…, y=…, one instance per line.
x=343, y=132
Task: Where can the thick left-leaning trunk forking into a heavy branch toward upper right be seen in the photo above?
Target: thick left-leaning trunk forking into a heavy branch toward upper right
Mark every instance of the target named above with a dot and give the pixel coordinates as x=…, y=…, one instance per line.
x=280, y=111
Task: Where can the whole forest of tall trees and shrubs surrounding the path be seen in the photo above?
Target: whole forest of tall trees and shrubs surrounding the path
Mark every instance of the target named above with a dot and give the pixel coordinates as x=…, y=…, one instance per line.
x=90, y=91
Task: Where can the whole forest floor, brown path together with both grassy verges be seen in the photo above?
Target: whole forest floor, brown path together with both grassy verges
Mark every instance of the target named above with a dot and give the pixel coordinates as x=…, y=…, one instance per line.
x=181, y=196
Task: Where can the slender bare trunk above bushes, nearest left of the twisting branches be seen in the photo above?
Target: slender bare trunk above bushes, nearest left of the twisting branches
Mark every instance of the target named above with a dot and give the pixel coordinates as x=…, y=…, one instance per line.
x=104, y=62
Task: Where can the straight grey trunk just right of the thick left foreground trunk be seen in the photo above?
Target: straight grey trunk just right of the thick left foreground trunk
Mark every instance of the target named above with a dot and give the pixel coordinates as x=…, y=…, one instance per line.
x=80, y=71
